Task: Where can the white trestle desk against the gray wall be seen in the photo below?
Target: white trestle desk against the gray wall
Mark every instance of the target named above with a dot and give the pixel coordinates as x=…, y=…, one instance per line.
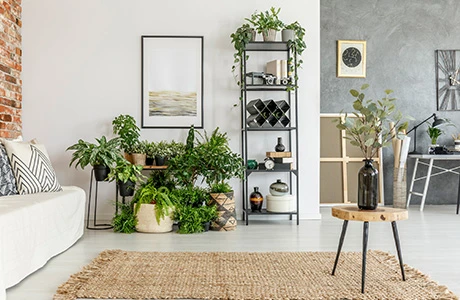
x=431, y=158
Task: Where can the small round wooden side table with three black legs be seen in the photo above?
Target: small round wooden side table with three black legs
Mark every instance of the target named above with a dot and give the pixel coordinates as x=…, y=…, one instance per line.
x=381, y=214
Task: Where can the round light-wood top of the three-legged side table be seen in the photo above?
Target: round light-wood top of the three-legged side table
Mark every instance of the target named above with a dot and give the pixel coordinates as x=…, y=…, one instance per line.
x=381, y=214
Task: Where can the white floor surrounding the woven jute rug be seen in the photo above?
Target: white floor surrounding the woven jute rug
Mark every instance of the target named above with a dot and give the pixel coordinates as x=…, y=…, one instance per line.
x=430, y=242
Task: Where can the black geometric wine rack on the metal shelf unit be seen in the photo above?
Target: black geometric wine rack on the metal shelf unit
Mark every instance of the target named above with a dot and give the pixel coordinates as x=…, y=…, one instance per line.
x=267, y=113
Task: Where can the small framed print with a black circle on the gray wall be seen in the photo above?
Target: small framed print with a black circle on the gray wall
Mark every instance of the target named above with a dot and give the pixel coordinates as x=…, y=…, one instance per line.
x=351, y=59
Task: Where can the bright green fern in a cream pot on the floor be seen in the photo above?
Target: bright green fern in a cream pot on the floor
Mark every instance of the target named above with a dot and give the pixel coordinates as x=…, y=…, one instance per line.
x=153, y=208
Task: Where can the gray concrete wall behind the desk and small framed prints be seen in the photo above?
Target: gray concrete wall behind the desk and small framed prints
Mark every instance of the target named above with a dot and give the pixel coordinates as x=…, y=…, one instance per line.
x=402, y=37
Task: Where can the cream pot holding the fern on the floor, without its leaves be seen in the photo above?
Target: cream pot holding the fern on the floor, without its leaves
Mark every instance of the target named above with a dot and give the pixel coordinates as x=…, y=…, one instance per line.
x=146, y=221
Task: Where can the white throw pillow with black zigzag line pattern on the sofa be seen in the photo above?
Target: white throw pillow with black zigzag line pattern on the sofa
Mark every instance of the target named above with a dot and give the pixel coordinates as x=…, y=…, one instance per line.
x=31, y=168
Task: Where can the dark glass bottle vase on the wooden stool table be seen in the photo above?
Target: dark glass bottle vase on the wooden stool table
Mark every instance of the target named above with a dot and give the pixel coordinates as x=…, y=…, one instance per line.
x=368, y=186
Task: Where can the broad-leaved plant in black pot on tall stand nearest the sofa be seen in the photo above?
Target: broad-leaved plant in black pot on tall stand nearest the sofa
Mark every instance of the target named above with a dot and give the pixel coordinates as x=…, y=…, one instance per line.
x=100, y=156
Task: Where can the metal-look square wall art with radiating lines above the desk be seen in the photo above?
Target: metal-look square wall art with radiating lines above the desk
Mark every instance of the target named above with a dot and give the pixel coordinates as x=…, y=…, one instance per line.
x=448, y=79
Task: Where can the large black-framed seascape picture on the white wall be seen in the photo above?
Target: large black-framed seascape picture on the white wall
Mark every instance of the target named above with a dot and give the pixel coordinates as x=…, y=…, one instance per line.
x=172, y=81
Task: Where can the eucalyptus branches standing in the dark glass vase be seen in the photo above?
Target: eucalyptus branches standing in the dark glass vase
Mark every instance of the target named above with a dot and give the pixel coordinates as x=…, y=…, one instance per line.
x=369, y=129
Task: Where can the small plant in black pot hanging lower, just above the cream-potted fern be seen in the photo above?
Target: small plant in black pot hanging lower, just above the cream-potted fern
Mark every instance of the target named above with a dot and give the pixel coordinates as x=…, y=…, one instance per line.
x=126, y=175
